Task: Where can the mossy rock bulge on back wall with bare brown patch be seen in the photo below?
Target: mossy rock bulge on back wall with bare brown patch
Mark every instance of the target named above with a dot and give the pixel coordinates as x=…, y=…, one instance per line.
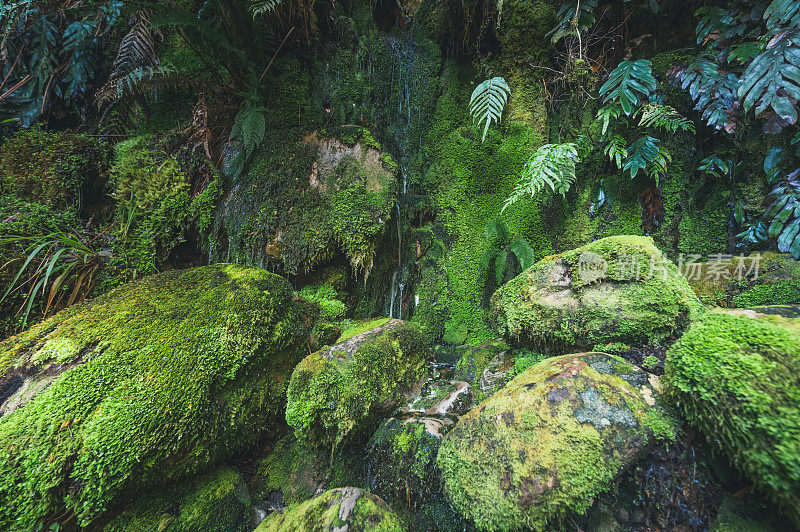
x=308, y=200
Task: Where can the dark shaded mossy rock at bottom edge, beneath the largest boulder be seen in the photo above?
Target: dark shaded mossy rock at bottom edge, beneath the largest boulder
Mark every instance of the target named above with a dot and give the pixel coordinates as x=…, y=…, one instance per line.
x=215, y=502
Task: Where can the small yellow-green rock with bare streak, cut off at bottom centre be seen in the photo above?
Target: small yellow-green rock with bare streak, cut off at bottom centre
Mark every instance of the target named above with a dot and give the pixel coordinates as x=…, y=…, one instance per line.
x=351, y=509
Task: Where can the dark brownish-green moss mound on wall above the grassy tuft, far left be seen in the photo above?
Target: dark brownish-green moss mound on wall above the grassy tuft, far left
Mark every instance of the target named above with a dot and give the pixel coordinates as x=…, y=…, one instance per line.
x=57, y=169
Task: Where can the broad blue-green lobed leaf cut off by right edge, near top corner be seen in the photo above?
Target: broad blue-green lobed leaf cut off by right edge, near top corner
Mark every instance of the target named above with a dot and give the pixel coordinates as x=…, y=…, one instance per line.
x=772, y=80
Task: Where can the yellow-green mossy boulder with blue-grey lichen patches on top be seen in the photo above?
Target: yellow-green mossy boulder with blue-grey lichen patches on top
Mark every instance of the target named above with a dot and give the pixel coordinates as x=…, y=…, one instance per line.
x=550, y=441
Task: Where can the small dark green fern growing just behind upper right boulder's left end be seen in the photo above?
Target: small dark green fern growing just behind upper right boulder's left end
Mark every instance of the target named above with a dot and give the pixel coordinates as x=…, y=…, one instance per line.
x=502, y=246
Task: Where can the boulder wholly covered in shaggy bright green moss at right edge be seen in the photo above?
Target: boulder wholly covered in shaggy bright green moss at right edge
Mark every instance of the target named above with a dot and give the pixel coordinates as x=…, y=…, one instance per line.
x=736, y=375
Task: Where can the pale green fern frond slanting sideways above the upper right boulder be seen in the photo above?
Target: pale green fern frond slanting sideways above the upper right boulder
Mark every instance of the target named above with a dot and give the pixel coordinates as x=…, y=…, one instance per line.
x=553, y=166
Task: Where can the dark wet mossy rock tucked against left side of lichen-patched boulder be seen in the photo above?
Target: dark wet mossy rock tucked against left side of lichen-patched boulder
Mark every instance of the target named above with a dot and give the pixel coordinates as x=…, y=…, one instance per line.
x=401, y=469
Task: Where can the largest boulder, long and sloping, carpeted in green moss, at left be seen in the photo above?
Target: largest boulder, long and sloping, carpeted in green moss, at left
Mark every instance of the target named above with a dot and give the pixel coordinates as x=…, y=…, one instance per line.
x=151, y=383
